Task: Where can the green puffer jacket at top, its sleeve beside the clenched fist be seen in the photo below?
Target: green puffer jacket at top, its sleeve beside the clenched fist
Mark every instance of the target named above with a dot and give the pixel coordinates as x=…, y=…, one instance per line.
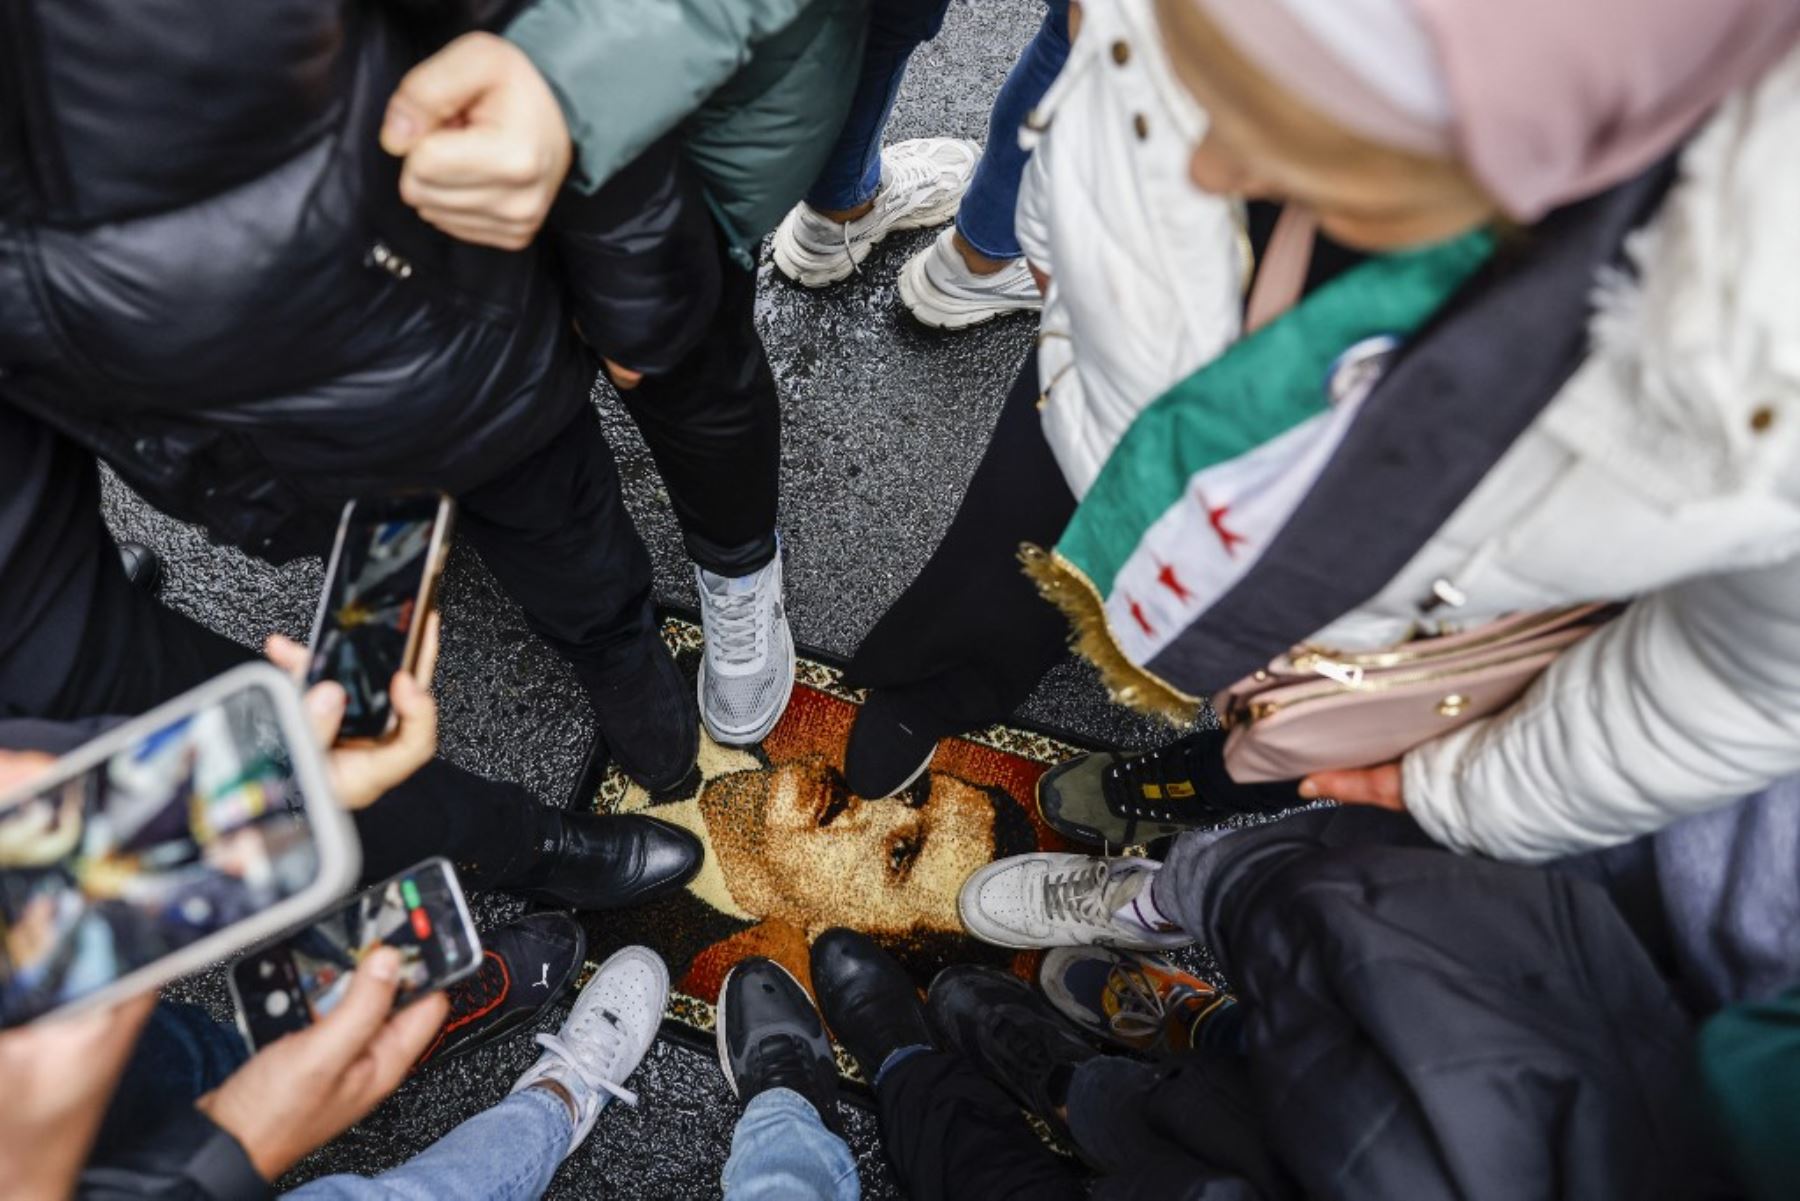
x=759, y=89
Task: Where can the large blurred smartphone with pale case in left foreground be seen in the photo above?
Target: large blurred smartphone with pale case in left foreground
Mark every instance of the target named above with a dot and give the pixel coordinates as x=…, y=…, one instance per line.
x=166, y=845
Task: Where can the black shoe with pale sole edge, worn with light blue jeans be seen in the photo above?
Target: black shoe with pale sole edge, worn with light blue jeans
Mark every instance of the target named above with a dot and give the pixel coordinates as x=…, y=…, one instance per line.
x=769, y=1036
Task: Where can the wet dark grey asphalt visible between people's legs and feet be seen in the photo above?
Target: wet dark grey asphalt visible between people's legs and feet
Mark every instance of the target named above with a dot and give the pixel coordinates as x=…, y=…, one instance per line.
x=883, y=426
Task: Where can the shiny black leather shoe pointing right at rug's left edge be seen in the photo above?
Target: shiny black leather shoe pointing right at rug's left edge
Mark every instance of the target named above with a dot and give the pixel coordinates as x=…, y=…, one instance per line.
x=611, y=862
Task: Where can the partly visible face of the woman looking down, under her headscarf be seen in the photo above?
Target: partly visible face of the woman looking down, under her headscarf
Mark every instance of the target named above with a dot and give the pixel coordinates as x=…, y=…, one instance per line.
x=1266, y=145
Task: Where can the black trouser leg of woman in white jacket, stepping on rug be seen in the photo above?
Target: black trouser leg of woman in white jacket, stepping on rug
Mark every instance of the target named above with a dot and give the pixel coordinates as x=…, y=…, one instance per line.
x=969, y=638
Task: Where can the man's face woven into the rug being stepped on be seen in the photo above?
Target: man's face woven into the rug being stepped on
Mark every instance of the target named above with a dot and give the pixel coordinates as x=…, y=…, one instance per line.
x=798, y=847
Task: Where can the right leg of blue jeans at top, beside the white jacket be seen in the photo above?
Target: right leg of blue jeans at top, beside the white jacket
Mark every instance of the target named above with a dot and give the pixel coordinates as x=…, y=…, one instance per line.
x=985, y=217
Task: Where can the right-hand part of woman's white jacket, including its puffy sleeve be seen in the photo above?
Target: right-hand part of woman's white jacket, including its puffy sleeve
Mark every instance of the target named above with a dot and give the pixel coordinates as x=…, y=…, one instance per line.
x=1669, y=471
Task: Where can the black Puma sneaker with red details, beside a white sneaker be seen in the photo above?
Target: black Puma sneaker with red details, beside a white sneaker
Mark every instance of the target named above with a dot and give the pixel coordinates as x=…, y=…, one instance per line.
x=526, y=968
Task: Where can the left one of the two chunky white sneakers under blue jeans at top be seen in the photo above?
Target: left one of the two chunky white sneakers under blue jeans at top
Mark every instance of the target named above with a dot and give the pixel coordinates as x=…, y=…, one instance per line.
x=922, y=183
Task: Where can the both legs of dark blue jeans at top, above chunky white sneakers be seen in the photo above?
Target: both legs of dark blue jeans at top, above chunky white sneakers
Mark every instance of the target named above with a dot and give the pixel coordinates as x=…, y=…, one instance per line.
x=854, y=172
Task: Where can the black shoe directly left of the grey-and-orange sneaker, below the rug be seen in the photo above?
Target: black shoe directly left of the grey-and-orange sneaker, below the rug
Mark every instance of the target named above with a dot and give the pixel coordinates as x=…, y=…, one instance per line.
x=1009, y=1031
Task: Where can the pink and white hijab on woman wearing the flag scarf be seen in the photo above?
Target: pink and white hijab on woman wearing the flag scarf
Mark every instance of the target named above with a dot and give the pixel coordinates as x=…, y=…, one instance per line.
x=1547, y=102
